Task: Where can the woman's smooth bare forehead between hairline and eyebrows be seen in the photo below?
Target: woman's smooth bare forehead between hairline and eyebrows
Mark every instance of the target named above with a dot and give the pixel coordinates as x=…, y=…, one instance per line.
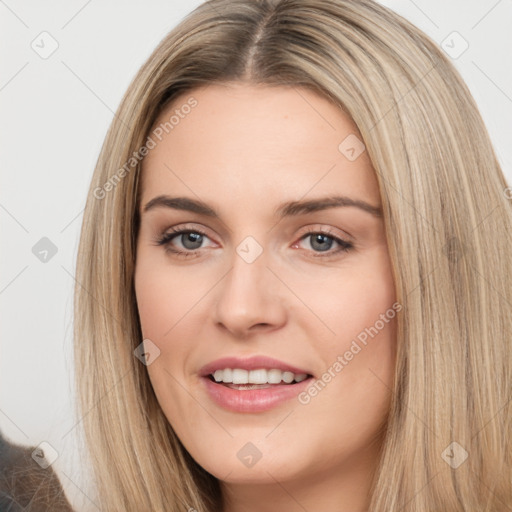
x=255, y=143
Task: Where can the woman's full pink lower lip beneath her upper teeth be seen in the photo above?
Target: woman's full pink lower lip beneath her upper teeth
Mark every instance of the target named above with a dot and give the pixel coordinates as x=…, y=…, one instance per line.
x=253, y=400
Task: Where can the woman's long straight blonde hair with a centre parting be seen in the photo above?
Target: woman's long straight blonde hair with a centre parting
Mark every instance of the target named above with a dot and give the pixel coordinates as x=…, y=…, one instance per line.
x=448, y=224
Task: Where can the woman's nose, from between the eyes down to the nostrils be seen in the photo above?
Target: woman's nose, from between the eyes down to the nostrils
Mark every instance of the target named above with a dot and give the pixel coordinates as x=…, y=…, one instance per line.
x=250, y=299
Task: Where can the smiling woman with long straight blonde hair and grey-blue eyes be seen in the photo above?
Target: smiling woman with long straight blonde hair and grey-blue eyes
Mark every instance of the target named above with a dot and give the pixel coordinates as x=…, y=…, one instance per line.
x=294, y=273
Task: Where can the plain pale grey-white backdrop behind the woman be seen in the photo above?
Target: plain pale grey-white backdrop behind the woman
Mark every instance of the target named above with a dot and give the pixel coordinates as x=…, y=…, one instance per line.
x=54, y=114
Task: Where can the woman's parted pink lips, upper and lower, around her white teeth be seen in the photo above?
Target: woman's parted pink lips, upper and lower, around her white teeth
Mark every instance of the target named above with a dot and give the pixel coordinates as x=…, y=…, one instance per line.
x=254, y=400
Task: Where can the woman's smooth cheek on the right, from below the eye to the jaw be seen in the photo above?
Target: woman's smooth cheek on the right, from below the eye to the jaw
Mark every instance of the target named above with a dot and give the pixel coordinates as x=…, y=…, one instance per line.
x=359, y=353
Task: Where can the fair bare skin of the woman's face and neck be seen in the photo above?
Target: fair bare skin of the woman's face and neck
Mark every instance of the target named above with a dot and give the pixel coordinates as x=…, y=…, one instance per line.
x=245, y=150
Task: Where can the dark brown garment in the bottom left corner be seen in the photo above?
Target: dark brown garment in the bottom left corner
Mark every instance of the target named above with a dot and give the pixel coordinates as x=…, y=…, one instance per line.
x=25, y=485
